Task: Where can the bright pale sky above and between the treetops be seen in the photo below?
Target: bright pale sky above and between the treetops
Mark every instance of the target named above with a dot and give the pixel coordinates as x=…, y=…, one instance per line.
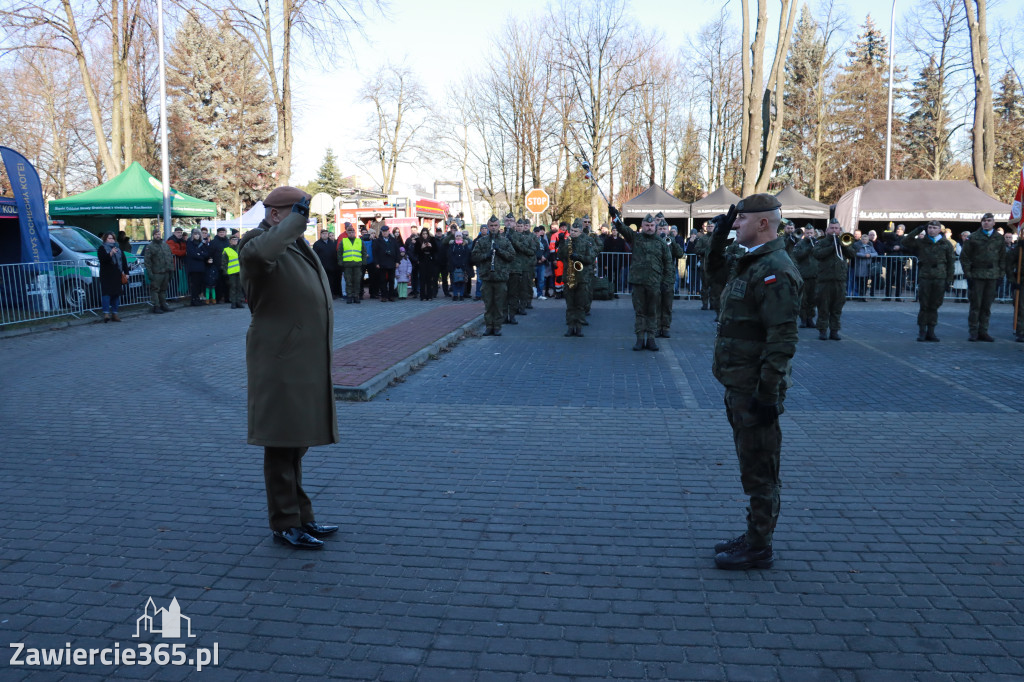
x=445, y=39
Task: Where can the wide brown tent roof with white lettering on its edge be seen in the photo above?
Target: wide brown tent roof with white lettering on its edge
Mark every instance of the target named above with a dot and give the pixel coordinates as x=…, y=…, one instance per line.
x=917, y=202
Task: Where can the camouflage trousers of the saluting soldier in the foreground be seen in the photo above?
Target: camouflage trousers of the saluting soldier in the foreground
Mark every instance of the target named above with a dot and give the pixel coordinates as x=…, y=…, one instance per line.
x=758, y=449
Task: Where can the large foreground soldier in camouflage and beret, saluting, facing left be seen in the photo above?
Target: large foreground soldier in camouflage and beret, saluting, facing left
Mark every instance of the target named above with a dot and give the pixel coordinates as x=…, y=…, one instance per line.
x=757, y=339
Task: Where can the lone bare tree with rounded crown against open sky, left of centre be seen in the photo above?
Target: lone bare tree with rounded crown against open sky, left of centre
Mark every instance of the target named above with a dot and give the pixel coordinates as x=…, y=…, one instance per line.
x=400, y=109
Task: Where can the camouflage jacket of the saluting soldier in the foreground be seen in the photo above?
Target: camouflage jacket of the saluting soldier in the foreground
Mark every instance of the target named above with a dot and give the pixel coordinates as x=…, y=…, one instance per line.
x=757, y=331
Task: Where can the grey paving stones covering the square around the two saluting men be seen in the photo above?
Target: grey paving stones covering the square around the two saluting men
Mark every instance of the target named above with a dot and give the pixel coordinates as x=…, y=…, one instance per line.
x=524, y=508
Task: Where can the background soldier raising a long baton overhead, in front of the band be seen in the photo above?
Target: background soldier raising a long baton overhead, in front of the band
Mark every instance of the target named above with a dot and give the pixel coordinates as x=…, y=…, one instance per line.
x=651, y=259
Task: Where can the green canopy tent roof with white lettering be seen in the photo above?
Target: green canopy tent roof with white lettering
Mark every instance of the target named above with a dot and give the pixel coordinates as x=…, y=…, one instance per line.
x=134, y=194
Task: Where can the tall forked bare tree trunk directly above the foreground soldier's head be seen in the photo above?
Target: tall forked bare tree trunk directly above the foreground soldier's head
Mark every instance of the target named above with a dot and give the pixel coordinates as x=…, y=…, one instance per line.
x=764, y=108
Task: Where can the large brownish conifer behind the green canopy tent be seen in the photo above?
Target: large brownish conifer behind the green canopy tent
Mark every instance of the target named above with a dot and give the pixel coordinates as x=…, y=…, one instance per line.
x=221, y=119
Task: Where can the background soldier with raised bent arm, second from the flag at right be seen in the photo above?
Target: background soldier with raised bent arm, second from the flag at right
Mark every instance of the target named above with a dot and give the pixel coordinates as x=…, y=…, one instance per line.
x=935, y=275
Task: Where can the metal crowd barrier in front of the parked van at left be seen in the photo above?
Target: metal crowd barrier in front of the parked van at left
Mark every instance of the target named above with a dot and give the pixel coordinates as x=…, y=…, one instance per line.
x=30, y=292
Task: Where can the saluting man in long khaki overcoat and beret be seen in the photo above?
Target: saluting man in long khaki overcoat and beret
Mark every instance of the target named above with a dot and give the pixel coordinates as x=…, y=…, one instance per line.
x=288, y=358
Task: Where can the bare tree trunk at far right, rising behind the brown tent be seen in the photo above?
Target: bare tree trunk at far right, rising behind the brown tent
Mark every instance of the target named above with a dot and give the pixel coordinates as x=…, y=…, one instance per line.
x=984, y=133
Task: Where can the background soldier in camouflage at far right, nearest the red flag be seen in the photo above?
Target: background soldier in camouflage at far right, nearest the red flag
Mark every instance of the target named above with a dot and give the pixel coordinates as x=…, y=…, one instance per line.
x=984, y=261
